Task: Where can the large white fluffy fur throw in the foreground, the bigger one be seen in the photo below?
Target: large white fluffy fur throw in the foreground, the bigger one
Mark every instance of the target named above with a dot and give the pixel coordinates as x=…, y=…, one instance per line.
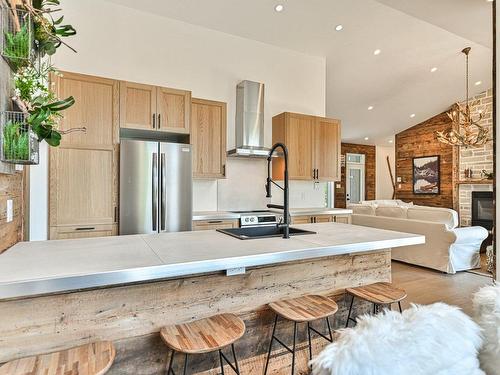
x=436, y=339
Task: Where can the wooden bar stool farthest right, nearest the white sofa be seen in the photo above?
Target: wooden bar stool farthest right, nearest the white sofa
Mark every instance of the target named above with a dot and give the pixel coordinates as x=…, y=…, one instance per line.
x=380, y=294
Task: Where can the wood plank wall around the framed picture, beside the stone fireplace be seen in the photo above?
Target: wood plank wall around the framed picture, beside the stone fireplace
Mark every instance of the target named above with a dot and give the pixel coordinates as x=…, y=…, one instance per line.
x=420, y=140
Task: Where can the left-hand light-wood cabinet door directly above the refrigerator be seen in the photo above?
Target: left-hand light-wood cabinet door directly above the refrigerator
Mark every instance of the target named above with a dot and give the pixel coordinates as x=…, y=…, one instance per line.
x=137, y=106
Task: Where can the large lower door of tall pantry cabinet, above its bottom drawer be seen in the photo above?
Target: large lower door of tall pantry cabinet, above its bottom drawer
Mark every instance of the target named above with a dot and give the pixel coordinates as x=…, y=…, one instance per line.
x=81, y=187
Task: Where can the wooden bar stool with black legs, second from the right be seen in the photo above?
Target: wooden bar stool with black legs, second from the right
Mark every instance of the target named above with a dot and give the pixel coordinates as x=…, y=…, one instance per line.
x=303, y=309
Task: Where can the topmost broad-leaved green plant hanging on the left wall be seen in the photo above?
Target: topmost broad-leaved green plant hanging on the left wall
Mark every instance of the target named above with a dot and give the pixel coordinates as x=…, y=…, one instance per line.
x=49, y=31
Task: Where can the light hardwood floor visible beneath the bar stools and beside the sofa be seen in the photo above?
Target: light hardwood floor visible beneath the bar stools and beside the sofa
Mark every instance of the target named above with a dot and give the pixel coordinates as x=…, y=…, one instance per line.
x=423, y=286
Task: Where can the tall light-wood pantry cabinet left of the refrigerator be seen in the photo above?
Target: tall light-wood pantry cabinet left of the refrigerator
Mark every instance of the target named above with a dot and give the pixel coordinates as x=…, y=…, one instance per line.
x=83, y=170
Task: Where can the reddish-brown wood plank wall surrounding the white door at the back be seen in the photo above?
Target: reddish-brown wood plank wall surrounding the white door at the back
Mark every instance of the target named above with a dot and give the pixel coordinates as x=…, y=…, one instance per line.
x=370, y=172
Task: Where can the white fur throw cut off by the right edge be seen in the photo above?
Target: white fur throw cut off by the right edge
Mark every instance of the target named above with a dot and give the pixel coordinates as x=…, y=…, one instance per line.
x=487, y=315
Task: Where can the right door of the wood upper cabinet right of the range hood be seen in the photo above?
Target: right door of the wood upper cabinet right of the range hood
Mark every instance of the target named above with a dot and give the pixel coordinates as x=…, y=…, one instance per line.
x=327, y=149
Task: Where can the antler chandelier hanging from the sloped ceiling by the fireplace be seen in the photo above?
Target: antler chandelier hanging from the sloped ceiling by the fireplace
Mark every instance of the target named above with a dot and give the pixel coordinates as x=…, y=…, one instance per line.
x=466, y=131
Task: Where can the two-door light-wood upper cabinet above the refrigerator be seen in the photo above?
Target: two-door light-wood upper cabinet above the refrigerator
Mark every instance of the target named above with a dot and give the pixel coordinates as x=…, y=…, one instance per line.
x=146, y=107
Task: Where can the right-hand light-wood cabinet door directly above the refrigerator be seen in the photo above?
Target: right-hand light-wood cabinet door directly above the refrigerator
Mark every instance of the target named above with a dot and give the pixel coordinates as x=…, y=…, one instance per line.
x=174, y=109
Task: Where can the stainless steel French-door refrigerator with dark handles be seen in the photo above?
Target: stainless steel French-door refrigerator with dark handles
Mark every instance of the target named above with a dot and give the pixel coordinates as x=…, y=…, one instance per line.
x=155, y=187
